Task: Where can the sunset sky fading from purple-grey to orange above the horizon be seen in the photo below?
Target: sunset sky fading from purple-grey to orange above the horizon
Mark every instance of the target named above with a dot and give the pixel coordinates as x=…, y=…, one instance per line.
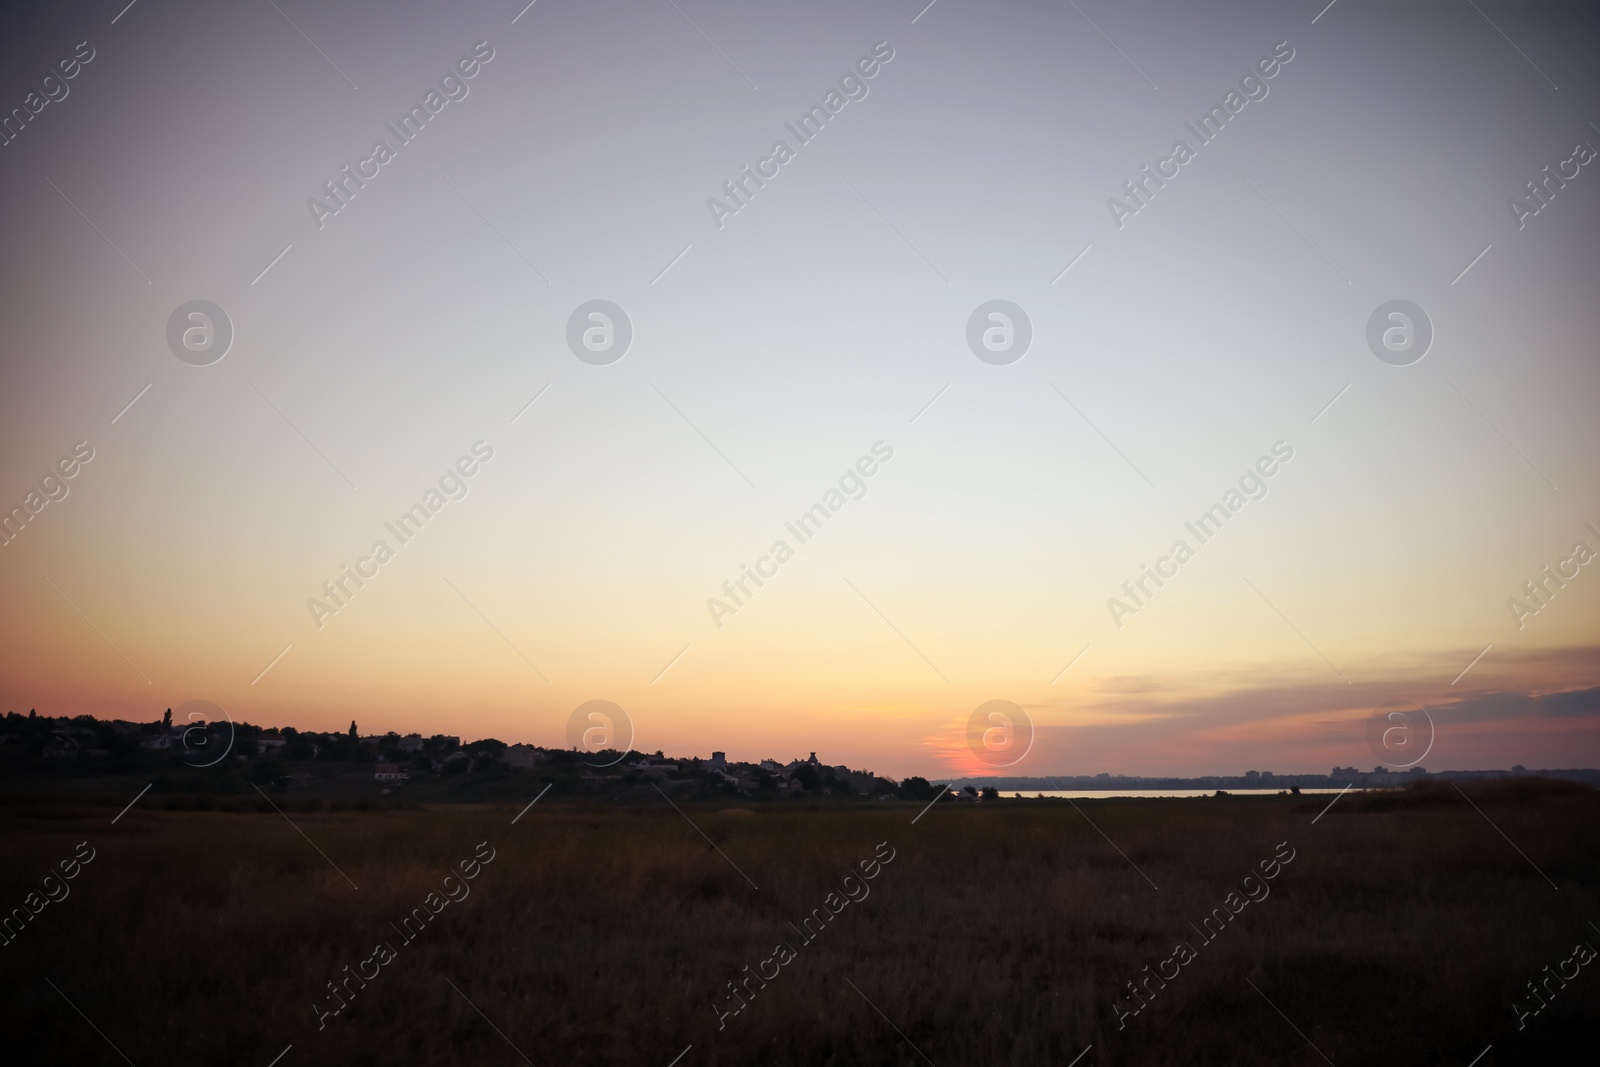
x=1161, y=350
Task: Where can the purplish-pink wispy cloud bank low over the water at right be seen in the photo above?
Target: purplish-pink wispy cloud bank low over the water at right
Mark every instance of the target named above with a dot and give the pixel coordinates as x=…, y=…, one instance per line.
x=1537, y=708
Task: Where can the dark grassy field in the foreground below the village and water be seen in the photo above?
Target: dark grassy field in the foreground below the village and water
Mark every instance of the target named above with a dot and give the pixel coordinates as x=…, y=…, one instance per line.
x=1402, y=932
